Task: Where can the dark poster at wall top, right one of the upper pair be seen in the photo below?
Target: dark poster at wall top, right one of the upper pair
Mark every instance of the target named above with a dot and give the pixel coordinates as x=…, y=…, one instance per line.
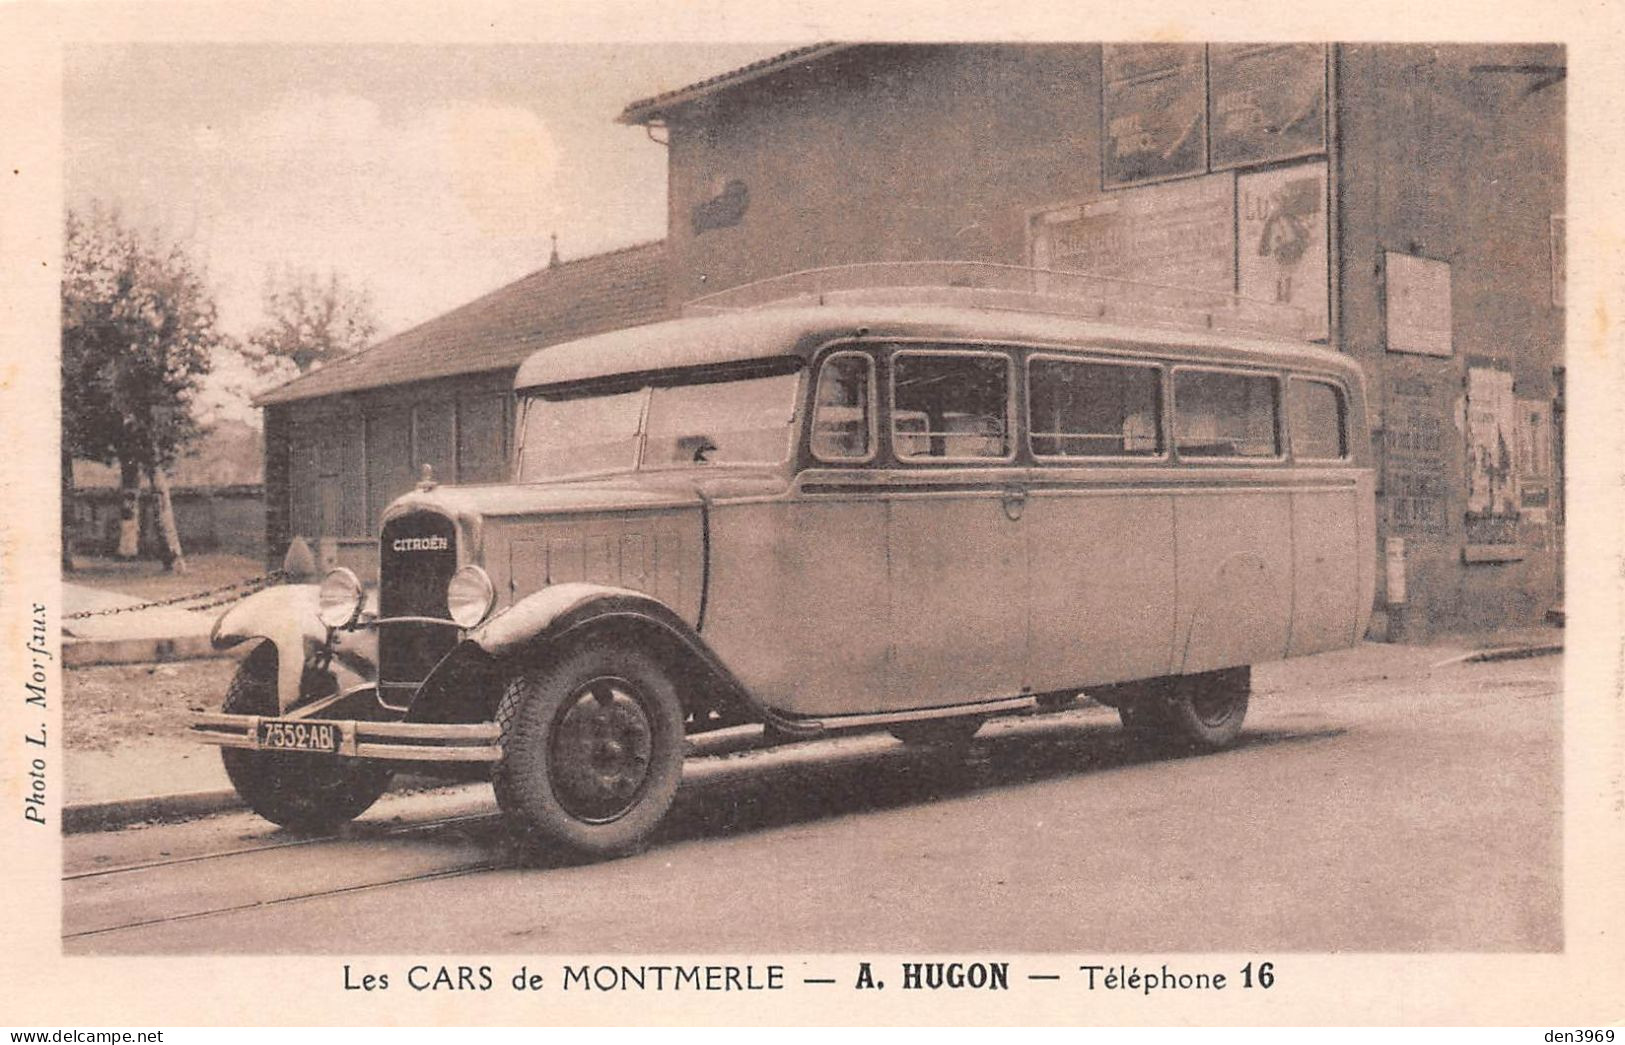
x=1268, y=102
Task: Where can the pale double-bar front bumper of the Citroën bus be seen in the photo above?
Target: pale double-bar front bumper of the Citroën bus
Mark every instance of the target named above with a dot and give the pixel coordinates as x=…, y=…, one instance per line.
x=396, y=742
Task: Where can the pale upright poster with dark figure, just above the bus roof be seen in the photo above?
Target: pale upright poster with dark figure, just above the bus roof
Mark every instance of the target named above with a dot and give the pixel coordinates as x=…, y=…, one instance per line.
x=1281, y=251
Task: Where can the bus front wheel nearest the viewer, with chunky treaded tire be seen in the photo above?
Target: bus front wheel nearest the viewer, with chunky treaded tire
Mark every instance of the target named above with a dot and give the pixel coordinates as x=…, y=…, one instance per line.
x=592, y=750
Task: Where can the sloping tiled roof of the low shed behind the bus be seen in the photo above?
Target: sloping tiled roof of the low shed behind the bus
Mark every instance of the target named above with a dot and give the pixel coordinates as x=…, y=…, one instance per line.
x=592, y=295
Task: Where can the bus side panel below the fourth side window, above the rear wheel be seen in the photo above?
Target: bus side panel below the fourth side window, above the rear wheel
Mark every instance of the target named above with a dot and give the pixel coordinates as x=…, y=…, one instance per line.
x=1234, y=555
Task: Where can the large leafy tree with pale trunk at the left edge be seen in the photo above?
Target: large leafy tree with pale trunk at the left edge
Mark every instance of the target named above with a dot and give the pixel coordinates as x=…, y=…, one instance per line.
x=139, y=331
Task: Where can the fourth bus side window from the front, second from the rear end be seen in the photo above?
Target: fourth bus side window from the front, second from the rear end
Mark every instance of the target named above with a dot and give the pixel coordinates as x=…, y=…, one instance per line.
x=1226, y=415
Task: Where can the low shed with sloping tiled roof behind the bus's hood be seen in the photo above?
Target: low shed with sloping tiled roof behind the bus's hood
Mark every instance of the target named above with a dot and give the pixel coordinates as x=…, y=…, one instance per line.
x=345, y=441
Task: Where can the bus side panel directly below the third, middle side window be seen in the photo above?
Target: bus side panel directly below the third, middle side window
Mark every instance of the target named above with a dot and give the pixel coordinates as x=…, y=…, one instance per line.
x=1103, y=583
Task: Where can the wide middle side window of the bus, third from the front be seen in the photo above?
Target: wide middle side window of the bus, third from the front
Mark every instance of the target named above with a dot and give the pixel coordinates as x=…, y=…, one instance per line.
x=1094, y=409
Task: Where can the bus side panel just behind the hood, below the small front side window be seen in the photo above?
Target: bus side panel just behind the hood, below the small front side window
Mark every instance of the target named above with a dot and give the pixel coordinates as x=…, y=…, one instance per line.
x=799, y=601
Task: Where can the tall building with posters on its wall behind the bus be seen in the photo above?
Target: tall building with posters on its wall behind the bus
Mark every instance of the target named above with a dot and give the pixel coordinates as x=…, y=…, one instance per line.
x=1406, y=199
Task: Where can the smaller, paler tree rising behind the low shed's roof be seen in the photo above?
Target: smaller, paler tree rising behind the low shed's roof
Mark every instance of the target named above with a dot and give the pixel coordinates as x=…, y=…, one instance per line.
x=311, y=321
